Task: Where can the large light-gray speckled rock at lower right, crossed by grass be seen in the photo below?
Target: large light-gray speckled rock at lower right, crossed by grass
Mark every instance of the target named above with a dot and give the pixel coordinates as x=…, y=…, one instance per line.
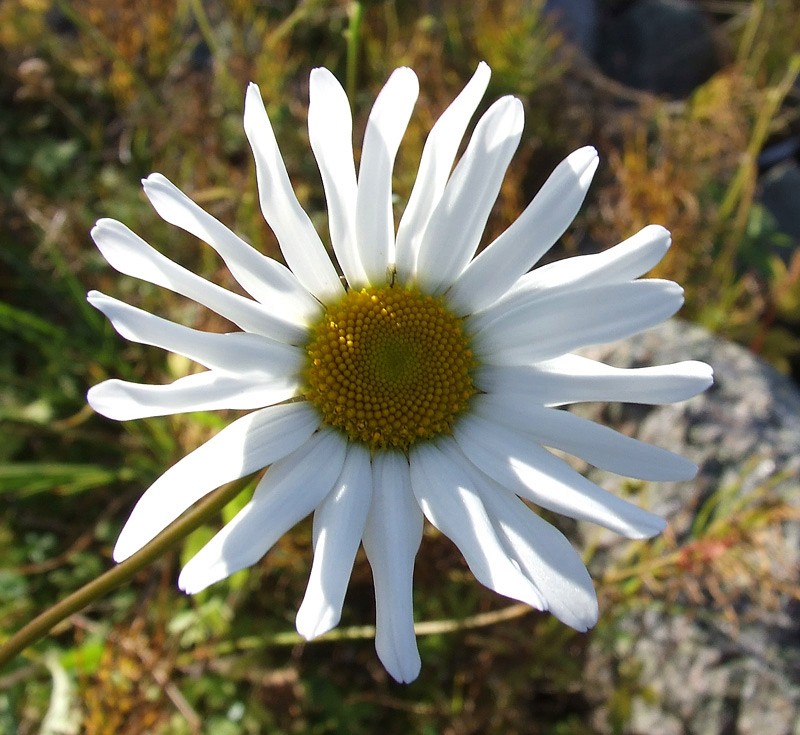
x=707, y=667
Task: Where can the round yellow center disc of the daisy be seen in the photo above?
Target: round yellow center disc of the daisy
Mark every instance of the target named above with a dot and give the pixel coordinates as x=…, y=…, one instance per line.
x=389, y=366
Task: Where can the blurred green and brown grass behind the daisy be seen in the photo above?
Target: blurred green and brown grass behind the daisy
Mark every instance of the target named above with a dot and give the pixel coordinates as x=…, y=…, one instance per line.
x=94, y=96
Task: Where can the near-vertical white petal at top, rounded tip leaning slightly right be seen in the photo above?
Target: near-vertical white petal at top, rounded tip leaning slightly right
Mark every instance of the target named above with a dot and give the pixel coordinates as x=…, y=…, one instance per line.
x=385, y=128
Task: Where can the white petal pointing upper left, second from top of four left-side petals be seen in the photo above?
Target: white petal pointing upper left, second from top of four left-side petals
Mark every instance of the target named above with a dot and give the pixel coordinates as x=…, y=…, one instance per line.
x=129, y=254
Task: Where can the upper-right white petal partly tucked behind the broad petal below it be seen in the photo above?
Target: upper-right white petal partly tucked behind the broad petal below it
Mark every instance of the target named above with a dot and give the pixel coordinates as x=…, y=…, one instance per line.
x=624, y=262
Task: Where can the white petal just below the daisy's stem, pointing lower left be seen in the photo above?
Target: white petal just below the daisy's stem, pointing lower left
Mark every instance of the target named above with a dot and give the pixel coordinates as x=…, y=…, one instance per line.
x=290, y=490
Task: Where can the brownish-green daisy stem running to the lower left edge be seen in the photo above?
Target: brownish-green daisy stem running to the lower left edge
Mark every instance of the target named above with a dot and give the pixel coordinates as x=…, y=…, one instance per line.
x=41, y=625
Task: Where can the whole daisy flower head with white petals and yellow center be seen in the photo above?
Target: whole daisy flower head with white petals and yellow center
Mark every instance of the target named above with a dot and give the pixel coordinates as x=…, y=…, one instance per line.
x=418, y=380
